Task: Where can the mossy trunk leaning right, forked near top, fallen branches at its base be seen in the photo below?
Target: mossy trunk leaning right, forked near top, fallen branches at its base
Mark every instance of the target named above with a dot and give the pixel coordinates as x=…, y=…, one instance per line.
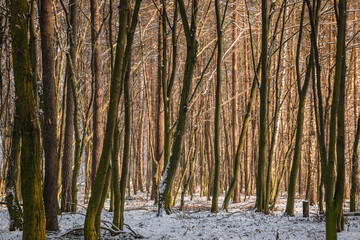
x=121, y=62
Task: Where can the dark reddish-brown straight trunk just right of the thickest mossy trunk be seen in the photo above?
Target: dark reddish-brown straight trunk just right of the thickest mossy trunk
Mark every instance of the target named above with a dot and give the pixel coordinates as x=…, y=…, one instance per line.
x=50, y=116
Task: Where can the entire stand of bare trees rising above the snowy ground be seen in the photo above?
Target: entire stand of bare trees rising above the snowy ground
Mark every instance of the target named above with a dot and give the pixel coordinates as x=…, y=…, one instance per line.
x=224, y=98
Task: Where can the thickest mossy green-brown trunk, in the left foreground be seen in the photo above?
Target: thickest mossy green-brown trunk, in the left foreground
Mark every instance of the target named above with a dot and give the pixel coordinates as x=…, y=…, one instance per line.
x=34, y=216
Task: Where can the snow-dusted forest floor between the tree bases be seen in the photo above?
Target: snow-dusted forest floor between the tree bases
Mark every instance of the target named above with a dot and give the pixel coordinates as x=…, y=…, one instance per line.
x=197, y=222
